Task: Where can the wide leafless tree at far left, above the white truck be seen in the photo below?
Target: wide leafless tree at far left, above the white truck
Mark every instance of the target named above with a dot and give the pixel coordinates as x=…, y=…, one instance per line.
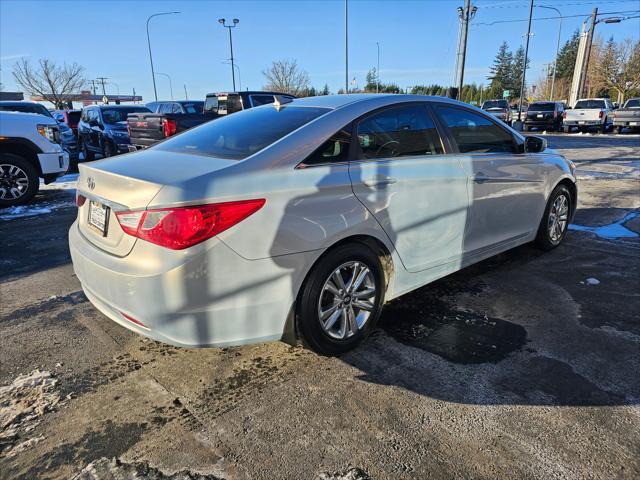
x=48, y=80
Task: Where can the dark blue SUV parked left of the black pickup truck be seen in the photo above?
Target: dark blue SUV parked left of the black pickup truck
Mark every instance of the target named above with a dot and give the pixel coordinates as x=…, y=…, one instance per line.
x=103, y=129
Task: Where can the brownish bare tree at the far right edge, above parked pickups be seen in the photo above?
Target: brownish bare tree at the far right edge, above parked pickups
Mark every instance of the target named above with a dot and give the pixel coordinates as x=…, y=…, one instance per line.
x=617, y=67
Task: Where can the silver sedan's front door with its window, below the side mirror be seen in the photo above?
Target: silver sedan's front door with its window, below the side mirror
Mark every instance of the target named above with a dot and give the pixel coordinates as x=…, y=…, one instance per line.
x=506, y=187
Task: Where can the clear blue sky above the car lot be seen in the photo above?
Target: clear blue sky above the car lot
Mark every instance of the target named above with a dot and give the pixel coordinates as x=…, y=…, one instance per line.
x=417, y=39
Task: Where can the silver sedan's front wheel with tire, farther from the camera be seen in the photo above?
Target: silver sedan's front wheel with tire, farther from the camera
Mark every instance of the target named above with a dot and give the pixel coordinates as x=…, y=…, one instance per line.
x=555, y=221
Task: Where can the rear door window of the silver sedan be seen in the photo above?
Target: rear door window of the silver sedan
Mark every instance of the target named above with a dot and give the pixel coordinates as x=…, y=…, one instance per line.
x=398, y=132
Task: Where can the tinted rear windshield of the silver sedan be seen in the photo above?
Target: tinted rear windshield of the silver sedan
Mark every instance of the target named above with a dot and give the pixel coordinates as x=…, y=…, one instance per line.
x=238, y=136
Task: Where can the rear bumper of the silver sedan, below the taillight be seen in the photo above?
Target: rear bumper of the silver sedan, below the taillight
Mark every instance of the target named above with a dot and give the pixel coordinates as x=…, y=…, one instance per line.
x=207, y=296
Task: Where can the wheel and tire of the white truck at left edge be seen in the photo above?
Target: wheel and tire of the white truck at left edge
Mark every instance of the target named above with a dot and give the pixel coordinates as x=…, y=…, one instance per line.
x=19, y=180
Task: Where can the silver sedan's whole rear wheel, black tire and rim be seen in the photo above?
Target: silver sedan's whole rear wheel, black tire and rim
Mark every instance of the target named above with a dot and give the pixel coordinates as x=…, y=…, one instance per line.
x=341, y=299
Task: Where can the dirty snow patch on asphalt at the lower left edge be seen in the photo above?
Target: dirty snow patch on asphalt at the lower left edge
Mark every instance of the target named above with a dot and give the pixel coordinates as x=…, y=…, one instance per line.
x=23, y=404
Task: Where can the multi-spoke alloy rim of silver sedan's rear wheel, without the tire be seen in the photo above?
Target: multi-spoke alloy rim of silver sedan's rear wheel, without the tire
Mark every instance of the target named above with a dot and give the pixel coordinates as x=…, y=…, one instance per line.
x=347, y=300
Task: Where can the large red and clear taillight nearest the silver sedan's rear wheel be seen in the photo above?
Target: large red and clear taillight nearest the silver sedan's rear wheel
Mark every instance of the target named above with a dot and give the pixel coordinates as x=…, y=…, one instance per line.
x=182, y=227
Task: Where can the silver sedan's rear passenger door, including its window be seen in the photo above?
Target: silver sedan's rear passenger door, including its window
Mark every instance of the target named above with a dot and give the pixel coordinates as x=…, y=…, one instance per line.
x=416, y=191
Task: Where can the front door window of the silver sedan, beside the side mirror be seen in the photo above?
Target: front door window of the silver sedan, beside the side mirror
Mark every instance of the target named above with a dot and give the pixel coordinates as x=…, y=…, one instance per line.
x=473, y=133
